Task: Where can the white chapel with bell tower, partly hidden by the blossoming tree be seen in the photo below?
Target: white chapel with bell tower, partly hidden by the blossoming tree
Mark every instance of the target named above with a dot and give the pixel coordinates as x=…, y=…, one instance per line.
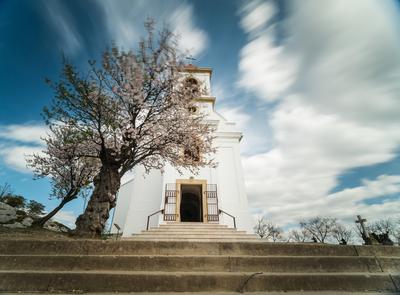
x=207, y=197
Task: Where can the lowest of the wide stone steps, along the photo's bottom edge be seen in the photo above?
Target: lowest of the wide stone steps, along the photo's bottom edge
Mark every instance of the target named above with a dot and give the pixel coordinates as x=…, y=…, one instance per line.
x=128, y=281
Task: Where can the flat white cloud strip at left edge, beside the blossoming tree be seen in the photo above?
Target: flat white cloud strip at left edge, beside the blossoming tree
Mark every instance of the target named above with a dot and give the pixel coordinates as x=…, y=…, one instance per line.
x=29, y=133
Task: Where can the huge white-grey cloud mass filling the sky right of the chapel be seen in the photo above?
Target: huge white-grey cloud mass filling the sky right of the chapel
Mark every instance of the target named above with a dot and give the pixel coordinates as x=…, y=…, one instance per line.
x=336, y=81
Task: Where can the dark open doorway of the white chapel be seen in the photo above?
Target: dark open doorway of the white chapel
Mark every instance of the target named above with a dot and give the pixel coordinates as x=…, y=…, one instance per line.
x=191, y=203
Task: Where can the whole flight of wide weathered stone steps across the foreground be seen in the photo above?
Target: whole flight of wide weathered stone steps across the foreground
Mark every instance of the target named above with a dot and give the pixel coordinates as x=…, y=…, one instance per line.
x=201, y=266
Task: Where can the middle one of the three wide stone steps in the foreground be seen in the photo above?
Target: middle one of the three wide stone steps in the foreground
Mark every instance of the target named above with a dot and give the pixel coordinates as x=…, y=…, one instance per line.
x=270, y=264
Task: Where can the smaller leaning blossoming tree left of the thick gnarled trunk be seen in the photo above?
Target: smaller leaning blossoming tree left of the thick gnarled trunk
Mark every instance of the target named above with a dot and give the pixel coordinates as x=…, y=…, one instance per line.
x=69, y=173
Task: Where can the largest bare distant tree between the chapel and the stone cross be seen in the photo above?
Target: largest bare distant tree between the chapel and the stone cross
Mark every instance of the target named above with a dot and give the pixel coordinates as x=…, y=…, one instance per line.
x=320, y=228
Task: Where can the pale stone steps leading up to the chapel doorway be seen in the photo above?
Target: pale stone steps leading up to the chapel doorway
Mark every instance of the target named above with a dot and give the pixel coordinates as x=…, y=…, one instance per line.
x=193, y=231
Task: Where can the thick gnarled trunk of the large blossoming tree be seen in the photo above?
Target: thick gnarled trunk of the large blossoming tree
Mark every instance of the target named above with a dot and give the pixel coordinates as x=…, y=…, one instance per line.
x=106, y=185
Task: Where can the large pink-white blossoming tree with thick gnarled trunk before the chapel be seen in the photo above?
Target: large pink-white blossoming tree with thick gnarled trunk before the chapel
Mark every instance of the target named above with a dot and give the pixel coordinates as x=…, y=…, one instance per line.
x=133, y=109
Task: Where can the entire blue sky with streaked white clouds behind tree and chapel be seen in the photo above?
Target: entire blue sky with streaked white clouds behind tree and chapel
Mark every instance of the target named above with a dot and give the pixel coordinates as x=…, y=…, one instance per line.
x=314, y=87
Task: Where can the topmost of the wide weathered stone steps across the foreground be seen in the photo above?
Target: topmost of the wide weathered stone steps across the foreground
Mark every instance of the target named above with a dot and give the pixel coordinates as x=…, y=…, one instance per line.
x=129, y=247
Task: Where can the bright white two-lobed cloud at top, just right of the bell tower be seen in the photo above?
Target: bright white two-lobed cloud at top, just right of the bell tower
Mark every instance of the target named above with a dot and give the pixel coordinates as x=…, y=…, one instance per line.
x=265, y=68
